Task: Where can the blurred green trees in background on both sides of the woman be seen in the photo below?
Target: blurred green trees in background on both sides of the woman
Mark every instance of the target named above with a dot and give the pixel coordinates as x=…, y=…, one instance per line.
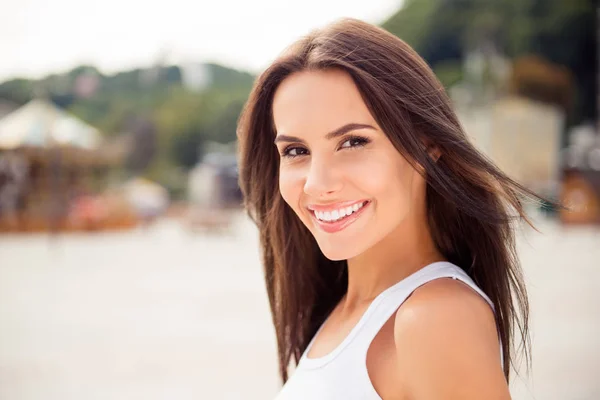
x=443, y=31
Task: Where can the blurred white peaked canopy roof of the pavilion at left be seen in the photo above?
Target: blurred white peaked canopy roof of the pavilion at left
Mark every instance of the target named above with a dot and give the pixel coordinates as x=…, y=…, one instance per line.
x=40, y=123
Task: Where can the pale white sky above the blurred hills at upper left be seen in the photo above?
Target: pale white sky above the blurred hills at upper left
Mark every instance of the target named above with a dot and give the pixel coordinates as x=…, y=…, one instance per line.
x=38, y=37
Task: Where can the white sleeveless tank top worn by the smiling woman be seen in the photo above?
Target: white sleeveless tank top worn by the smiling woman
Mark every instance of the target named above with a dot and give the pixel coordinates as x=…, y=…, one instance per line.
x=342, y=374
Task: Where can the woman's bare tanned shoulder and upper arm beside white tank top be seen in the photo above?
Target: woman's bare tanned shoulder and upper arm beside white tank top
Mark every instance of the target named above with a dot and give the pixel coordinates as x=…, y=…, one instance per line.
x=447, y=345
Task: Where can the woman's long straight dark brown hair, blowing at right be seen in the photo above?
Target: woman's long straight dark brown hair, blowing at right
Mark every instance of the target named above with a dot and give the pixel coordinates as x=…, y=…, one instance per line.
x=471, y=203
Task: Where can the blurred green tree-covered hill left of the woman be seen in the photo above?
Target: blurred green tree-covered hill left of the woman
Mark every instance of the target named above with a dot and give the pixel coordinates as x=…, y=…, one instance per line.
x=184, y=119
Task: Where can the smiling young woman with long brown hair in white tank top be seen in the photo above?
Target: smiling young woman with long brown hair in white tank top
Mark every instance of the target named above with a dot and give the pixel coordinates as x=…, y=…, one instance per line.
x=386, y=236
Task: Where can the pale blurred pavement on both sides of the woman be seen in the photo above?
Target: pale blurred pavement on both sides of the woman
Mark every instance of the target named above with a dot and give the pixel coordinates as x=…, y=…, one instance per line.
x=168, y=314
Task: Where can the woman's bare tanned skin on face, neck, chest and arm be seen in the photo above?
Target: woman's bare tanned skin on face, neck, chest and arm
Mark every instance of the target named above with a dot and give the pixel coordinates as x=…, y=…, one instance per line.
x=442, y=342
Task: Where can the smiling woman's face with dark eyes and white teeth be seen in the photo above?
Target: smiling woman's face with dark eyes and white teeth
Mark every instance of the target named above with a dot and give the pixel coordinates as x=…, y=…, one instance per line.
x=338, y=171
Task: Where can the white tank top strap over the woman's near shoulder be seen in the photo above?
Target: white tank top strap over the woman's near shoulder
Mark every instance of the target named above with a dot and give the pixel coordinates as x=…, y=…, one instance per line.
x=395, y=296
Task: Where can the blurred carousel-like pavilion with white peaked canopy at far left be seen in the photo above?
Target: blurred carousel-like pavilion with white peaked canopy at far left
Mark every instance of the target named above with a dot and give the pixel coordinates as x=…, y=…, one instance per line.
x=52, y=168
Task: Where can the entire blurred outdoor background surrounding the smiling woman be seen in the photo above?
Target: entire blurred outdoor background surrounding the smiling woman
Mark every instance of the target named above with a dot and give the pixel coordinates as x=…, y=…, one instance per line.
x=128, y=269
